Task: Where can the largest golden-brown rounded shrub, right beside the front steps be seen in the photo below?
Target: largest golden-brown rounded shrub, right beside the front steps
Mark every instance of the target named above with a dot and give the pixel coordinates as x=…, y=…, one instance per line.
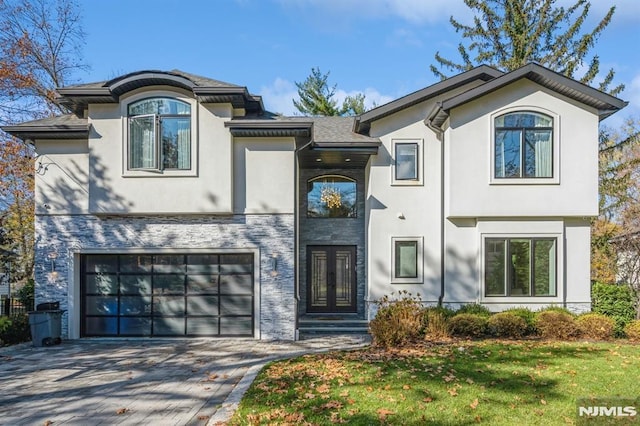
x=398, y=321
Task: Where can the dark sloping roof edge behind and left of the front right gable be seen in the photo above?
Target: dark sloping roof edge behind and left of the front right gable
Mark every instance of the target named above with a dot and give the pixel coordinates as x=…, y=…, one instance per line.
x=483, y=73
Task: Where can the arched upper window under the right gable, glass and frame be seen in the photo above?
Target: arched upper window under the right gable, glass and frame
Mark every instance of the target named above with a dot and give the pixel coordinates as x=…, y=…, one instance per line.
x=523, y=145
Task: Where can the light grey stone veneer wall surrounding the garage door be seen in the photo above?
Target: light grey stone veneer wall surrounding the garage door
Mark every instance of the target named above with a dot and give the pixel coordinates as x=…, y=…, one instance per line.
x=272, y=235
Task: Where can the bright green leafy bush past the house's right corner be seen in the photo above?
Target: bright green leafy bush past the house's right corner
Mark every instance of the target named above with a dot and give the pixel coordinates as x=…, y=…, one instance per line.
x=615, y=301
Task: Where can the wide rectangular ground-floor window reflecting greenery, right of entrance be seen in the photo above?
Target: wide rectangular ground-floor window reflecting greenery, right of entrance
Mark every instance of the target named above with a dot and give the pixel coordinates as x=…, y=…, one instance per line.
x=520, y=267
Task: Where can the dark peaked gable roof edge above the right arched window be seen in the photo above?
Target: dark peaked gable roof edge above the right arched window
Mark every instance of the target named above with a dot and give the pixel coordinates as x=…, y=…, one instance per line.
x=559, y=83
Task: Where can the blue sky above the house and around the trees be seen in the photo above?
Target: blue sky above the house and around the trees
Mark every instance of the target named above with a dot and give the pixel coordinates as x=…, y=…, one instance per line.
x=380, y=47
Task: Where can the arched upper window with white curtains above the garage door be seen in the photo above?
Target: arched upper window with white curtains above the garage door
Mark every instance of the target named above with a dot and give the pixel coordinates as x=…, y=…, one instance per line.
x=159, y=134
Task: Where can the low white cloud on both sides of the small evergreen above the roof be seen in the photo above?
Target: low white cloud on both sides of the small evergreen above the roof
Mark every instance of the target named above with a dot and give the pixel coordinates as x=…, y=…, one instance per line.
x=278, y=97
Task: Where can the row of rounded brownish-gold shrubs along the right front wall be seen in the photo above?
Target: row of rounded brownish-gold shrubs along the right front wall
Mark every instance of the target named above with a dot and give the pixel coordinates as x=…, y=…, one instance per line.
x=404, y=320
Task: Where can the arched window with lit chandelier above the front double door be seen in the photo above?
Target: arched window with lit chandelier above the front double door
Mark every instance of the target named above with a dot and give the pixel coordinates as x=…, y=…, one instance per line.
x=331, y=196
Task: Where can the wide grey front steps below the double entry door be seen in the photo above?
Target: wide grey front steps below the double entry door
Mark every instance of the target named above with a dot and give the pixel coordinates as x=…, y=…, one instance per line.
x=325, y=325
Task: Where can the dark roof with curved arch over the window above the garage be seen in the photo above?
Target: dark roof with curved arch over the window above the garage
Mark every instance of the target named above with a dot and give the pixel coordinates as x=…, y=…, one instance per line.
x=205, y=89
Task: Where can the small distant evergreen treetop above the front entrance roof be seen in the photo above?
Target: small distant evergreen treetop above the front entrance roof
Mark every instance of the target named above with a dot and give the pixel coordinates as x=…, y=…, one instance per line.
x=316, y=97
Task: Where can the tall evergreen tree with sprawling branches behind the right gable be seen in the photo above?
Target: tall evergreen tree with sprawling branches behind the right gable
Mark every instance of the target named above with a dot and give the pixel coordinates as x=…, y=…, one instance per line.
x=508, y=34
